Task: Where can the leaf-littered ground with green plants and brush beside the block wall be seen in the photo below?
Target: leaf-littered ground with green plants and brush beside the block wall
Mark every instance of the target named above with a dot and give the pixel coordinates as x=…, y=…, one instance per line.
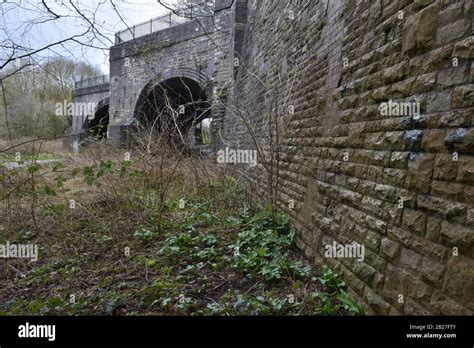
x=119, y=251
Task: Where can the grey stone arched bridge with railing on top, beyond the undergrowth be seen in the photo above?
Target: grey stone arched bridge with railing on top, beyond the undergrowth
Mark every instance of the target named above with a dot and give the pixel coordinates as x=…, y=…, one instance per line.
x=185, y=64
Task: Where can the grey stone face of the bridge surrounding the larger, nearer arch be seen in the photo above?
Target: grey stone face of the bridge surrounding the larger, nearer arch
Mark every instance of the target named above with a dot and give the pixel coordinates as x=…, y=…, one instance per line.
x=193, y=50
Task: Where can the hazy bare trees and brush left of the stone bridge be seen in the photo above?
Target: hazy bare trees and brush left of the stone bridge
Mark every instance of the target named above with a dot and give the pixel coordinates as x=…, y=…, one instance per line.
x=28, y=98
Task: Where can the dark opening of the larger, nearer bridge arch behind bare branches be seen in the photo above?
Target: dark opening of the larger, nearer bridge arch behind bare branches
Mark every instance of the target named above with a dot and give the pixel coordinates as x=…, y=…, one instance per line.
x=173, y=110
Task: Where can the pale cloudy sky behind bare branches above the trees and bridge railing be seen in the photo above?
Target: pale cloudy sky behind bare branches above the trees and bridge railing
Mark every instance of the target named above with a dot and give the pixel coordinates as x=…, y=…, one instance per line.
x=29, y=24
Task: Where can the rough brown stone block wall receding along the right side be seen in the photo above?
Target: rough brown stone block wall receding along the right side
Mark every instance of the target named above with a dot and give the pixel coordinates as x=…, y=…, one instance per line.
x=400, y=184
